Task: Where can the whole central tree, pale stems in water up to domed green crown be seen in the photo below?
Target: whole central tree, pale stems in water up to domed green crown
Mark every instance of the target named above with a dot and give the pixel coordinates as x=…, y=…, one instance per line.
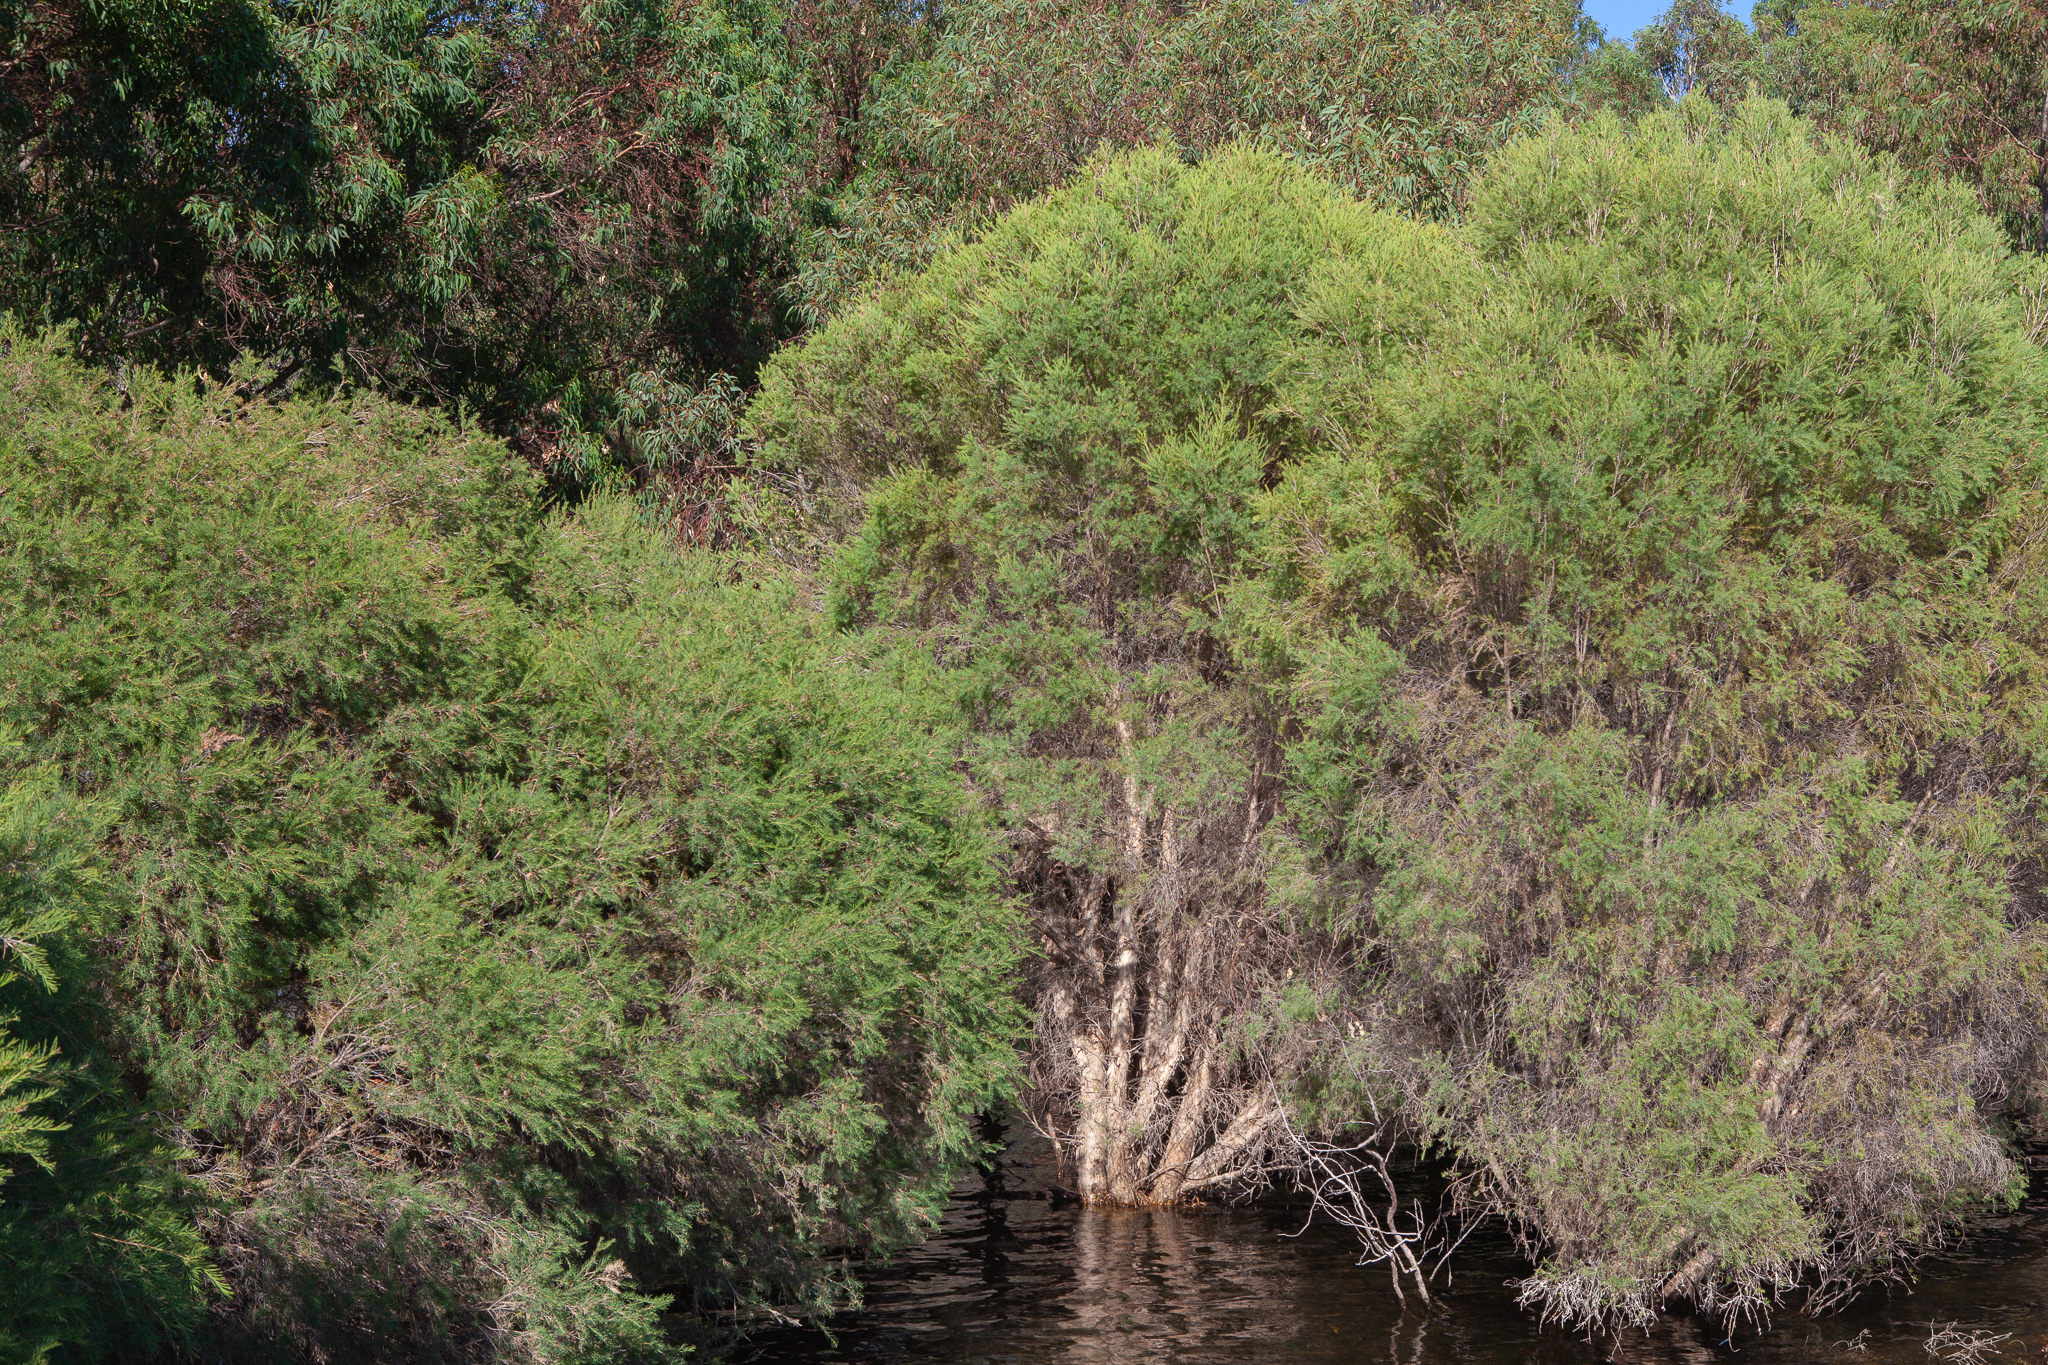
x=1035, y=466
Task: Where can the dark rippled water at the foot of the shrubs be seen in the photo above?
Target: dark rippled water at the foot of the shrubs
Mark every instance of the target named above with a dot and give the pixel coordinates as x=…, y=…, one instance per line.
x=1021, y=1282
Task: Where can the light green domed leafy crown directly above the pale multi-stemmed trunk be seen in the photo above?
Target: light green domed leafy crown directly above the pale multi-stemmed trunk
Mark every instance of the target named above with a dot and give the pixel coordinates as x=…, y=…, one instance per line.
x=1048, y=445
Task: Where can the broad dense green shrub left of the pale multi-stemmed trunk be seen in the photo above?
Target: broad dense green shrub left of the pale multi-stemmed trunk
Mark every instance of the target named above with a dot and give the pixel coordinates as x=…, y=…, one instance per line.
x=521, y=924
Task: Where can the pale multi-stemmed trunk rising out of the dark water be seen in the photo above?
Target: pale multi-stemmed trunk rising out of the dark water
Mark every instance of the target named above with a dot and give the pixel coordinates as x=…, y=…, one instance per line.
x=1142, y=1084
